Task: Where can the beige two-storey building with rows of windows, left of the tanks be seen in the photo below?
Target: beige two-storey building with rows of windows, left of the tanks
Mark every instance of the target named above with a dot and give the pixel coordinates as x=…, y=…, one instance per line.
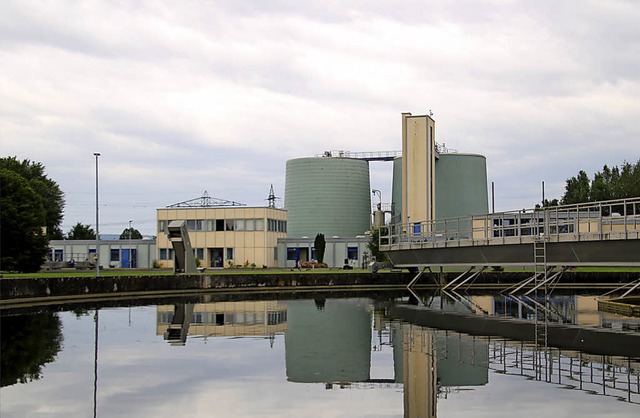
x=224, y=234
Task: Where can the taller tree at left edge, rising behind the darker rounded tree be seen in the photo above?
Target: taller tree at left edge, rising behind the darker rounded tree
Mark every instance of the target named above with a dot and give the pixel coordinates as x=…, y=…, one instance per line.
x=46, y=188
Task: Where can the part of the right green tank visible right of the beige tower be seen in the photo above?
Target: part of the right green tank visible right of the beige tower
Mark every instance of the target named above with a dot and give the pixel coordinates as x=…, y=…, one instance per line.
x=461, y=185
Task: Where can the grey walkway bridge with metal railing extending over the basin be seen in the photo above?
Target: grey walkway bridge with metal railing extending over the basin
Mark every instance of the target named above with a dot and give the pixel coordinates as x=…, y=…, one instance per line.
x=591, y=234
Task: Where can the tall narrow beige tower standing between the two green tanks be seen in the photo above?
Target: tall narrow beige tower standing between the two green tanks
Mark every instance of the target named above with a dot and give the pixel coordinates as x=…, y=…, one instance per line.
x=418, y=168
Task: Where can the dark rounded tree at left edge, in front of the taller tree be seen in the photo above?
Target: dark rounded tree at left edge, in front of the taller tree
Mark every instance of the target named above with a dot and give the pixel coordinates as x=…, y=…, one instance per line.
x=23, y=241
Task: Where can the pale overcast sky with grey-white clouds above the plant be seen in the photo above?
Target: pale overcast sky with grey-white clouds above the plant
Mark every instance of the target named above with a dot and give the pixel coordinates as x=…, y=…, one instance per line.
x=185, y=97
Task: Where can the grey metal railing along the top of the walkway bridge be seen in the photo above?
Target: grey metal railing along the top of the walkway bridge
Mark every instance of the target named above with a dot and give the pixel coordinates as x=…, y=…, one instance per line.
x=597, y=221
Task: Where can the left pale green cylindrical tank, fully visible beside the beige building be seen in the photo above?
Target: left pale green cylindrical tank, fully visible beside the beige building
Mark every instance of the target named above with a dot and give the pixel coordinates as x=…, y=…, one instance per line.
x=327, y=195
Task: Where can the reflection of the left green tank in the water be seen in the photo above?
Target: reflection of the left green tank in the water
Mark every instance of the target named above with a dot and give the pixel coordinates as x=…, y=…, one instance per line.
x=328, y=344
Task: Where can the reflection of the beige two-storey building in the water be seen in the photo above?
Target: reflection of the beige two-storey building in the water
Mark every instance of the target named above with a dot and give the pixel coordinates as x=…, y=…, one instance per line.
x=246, y=318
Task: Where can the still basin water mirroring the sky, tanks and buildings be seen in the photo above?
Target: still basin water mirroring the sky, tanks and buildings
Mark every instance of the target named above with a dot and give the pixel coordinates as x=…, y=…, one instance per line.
x=341, y=357
